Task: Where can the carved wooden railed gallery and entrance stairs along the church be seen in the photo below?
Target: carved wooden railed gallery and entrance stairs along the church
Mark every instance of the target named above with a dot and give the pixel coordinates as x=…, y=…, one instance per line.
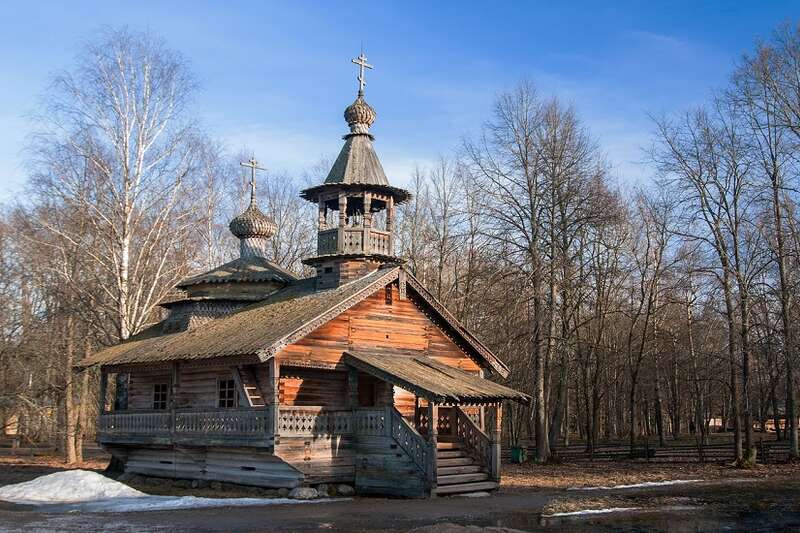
x=456, y=436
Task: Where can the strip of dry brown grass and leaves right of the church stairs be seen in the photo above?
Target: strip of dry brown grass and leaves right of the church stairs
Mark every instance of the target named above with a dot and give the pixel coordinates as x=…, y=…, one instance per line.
x=585, y=474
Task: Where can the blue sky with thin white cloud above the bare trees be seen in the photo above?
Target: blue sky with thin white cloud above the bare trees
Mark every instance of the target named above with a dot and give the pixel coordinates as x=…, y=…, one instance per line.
x=275, y=77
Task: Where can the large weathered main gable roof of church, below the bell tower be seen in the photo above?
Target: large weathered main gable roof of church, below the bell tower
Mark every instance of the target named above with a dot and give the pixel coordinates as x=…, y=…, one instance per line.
x=285, y=316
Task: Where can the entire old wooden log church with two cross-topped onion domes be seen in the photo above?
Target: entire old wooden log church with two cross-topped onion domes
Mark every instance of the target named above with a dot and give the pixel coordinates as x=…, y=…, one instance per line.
x=355, y=375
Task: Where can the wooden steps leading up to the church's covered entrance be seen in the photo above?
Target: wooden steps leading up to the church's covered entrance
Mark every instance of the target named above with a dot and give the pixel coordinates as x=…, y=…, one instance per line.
x=457, y=473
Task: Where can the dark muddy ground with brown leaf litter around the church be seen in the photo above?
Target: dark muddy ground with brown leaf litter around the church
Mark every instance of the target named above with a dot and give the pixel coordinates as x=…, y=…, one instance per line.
x=766, y=498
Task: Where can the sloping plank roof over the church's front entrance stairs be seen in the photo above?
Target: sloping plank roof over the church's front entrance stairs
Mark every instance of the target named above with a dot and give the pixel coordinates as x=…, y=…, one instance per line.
x=430, y=379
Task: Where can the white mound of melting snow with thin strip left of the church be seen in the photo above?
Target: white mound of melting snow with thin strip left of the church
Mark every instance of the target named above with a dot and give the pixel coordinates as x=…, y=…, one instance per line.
x=82, y=490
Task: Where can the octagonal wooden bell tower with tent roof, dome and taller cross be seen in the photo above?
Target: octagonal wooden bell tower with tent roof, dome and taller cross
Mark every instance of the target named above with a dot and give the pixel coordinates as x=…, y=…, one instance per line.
x=357, y=204
